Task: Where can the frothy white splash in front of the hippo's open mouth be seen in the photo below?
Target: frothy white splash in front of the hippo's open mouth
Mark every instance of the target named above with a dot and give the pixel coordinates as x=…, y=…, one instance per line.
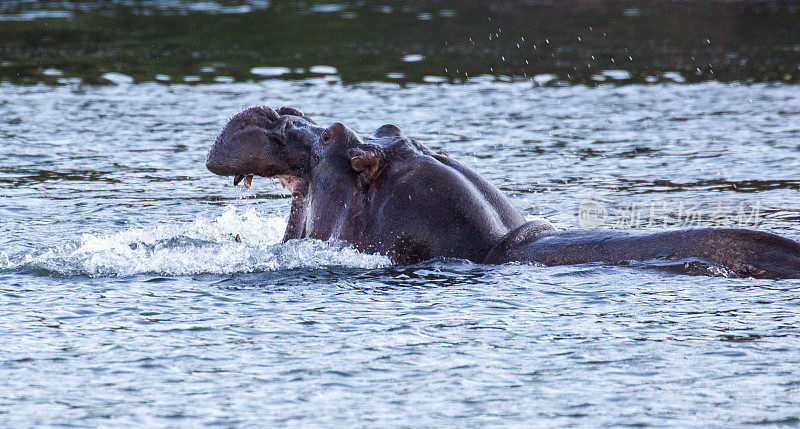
x=202, y=246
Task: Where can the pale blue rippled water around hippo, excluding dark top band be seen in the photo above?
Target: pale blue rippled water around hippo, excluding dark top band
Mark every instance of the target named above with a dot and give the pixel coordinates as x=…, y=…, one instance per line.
x=125, y=299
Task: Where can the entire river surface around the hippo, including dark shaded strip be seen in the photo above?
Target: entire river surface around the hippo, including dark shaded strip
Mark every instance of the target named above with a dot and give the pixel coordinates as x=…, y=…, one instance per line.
x=125, y=299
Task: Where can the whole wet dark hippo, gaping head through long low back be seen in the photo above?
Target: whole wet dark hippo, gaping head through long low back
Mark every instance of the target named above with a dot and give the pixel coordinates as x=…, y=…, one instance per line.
x=385, y=193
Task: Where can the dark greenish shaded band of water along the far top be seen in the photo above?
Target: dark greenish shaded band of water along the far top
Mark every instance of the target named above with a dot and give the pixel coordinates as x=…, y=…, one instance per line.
x=548, y=43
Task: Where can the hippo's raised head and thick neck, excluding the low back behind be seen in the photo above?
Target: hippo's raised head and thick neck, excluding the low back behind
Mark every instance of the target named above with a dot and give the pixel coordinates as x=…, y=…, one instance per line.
x=376, y=192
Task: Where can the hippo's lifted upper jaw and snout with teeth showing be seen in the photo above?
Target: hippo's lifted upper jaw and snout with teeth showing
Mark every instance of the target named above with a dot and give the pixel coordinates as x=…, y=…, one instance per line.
x=263, y=142
